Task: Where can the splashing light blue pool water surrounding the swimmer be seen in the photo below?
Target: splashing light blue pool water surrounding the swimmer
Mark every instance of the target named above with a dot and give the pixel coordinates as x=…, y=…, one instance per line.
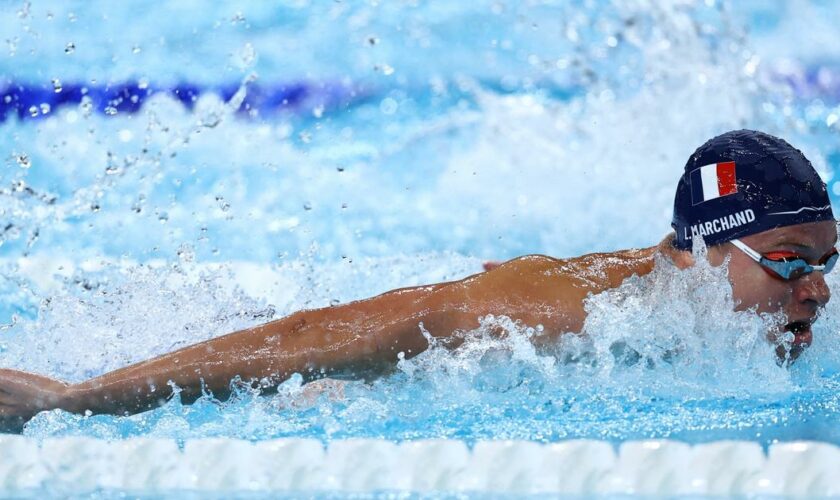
x=326, y=152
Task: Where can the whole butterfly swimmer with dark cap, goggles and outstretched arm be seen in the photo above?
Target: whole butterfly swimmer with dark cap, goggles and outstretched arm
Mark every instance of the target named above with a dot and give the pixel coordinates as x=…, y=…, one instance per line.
x=753, y=199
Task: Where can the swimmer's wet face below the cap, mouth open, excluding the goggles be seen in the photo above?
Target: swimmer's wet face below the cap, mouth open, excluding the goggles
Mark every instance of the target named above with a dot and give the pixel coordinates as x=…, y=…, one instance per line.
x=800, y=299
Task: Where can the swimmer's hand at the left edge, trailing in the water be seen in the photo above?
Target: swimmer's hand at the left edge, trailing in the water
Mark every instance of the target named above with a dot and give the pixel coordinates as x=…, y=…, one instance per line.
x=22, y=395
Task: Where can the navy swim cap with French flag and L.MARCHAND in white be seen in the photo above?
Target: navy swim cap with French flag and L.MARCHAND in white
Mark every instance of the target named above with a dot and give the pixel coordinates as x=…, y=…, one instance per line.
x=744, y=182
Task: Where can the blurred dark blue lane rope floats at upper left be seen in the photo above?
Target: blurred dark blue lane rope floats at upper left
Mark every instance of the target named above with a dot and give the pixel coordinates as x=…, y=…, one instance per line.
x=27, y=101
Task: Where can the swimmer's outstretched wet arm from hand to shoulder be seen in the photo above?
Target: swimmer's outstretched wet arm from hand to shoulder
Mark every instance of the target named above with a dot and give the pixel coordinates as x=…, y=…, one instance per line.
x=358, y=339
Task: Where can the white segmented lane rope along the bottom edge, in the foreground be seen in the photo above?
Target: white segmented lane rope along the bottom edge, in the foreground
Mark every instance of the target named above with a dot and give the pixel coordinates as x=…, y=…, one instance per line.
x=576, y=467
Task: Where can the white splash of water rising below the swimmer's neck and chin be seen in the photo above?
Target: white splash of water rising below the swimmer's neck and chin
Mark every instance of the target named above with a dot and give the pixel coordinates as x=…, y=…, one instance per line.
x=684, y=321
